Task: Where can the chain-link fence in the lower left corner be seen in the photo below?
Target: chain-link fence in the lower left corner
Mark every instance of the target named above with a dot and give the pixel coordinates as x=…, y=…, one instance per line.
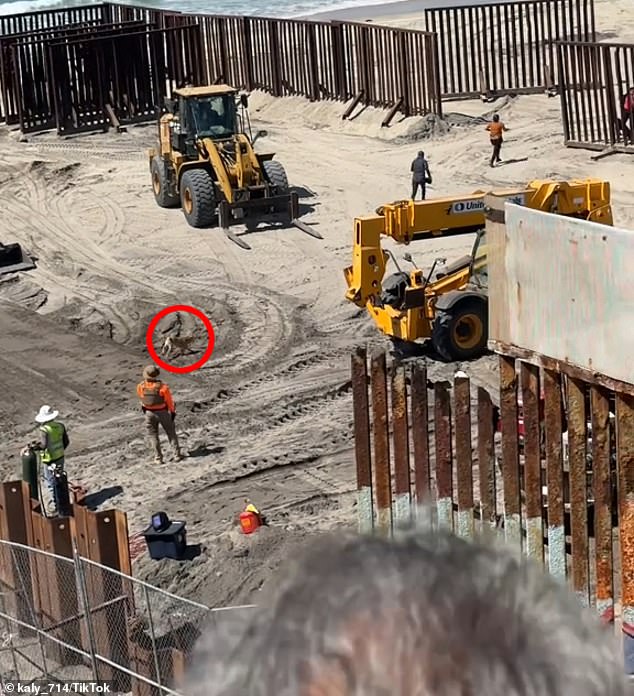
x=72, y=619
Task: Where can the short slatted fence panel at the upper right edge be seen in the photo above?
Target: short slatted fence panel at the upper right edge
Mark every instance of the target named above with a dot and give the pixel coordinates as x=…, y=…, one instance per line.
x=594, y=80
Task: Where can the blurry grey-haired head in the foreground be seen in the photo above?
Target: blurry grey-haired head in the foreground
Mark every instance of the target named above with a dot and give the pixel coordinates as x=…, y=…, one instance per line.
x=425, y=613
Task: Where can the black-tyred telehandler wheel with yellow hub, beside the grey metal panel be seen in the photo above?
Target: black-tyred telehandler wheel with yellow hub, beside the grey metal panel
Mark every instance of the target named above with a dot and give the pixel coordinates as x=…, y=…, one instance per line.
x=461, y=332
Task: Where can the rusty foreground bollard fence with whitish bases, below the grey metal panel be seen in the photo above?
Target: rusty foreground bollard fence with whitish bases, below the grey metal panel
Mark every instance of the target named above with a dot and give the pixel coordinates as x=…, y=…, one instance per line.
x=548, y=463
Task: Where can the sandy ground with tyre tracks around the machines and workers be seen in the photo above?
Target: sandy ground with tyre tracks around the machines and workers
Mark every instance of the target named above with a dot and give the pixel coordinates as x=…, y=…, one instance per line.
x=269, y=417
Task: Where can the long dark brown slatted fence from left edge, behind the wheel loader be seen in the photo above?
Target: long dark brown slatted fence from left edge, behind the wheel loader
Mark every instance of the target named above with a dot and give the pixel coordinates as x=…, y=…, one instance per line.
x=380, y=66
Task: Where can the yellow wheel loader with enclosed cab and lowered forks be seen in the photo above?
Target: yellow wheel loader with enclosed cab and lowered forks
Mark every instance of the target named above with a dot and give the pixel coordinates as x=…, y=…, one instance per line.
x=206, y=163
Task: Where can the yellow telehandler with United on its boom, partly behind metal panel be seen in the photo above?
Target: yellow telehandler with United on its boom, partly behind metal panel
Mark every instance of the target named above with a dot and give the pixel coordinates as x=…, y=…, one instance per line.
x=450, y=306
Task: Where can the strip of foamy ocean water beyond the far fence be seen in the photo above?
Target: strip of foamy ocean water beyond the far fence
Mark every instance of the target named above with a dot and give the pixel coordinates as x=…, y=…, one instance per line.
x=262, y=8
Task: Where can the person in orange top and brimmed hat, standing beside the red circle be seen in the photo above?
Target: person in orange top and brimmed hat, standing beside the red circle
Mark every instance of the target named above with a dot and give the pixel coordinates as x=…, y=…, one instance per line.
x=158, y=406
